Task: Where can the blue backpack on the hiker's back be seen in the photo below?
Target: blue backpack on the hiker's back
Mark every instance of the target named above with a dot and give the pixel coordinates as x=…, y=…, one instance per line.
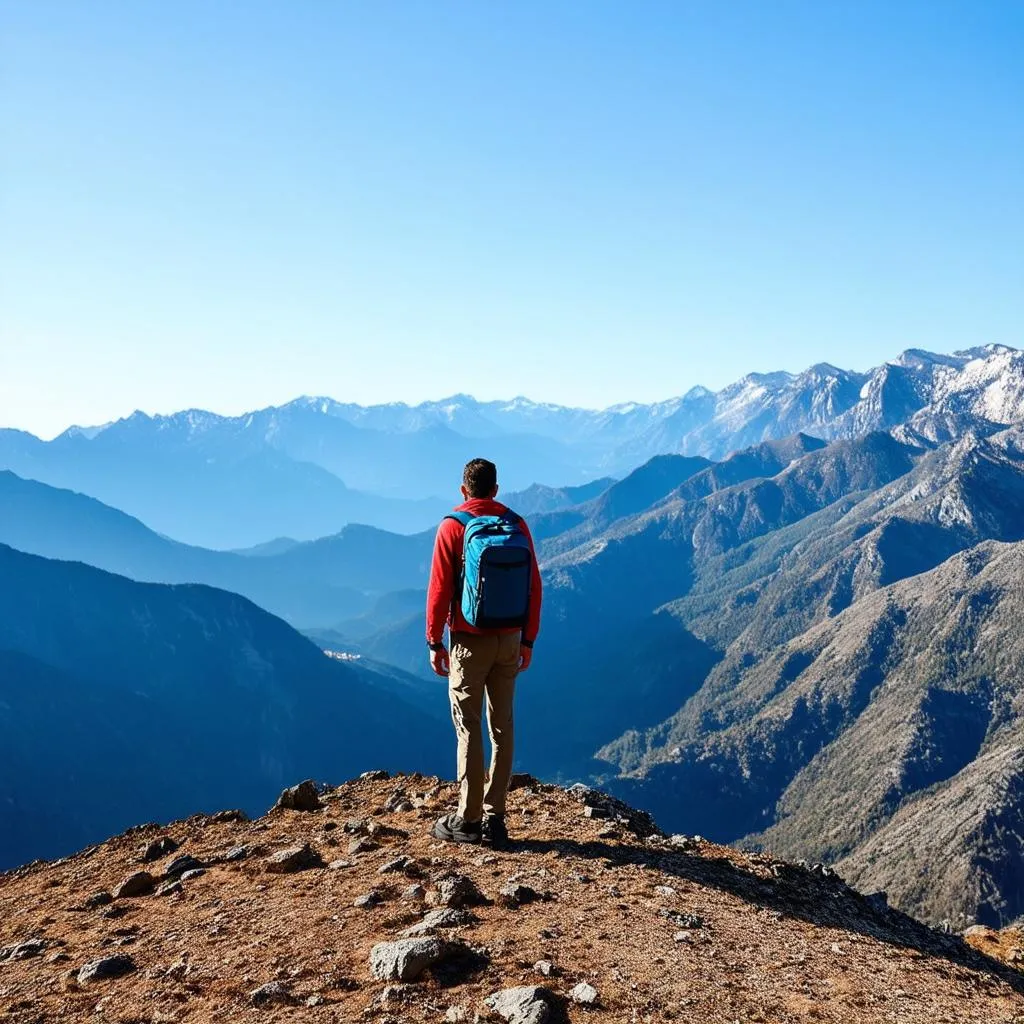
x=498, y=564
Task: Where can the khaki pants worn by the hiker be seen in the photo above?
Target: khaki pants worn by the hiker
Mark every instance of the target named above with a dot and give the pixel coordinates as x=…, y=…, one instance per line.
x=483, y=665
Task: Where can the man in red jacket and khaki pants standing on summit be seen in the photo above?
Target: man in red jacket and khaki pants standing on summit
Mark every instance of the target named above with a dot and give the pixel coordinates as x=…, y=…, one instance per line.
x=486, y=585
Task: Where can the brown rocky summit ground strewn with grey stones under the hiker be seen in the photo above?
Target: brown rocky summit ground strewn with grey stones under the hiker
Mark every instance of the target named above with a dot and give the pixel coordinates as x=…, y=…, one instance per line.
x=350, y=911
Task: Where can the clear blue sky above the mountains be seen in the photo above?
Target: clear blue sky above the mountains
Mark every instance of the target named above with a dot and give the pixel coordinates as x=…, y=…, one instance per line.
x=227, y=205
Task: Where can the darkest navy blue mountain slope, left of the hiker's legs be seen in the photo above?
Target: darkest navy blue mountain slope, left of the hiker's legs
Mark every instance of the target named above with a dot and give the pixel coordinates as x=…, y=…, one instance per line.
x=123, y=702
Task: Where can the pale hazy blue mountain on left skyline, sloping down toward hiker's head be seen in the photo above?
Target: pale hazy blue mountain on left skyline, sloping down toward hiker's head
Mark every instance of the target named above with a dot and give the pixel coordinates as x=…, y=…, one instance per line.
x=189, y=480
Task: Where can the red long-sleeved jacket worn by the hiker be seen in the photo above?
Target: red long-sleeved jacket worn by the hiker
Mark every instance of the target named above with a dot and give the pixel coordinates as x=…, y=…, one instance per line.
x=444, y=575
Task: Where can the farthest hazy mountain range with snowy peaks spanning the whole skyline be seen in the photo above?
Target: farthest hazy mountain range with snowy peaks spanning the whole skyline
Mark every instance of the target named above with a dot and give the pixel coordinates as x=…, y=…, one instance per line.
x=237, y=482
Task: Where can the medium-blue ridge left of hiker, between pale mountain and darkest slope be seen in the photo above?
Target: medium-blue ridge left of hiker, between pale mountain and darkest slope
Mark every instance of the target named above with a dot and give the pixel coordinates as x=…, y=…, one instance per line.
x=313, y=584
